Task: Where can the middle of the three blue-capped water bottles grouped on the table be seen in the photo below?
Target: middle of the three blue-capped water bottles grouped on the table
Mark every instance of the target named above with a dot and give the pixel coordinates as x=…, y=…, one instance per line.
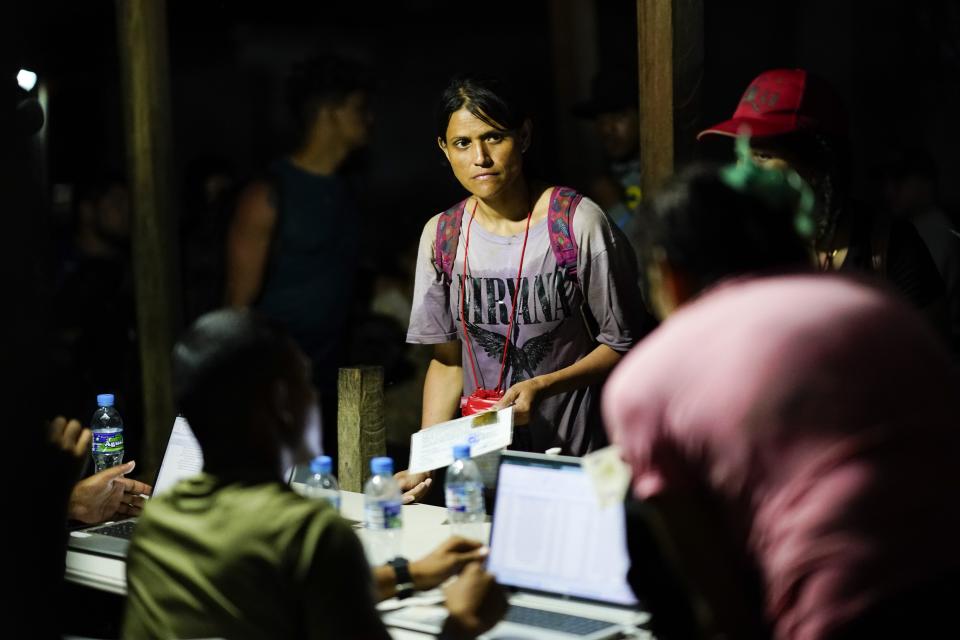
x=382, y=513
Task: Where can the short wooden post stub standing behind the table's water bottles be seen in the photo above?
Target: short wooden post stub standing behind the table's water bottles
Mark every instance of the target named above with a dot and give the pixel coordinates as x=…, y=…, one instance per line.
x=360, y=430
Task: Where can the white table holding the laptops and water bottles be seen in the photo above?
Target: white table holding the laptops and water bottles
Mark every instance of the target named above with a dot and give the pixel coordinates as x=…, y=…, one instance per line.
x=423, y=531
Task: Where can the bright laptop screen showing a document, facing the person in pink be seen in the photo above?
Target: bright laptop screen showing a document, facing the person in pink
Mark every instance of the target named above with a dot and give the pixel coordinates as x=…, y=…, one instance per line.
x=550, y=534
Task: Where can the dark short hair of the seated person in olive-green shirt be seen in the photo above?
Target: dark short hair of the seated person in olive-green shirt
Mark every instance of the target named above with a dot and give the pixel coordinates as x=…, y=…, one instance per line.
x=222, y=365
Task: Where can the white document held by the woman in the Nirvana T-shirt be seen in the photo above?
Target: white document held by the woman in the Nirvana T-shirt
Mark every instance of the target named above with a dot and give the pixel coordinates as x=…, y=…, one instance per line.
x=432, y=448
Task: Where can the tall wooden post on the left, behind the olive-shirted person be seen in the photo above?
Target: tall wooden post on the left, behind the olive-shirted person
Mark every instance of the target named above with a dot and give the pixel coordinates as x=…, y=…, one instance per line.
x=142, y=45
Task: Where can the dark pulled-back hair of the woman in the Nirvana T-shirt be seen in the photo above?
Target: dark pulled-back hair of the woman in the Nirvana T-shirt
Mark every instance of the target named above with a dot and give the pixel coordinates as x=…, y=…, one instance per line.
x=490, y=99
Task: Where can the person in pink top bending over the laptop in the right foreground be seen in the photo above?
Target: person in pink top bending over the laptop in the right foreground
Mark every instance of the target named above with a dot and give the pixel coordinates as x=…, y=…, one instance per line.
x=797, y=435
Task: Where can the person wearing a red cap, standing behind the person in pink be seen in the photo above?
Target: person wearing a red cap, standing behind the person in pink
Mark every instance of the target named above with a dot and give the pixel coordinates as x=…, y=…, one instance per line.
x=795, y=119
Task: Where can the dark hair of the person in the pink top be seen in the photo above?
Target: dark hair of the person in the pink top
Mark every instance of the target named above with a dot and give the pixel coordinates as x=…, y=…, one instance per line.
x=713, y=231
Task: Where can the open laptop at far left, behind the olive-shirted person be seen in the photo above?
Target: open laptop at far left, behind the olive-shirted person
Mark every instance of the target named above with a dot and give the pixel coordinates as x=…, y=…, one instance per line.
x=182, y=457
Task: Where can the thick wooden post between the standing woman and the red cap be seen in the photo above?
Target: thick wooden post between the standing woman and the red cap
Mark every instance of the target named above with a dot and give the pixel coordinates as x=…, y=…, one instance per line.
x=670, y=49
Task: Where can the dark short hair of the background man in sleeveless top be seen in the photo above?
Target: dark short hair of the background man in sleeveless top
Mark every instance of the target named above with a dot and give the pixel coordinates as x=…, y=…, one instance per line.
x=322, y=80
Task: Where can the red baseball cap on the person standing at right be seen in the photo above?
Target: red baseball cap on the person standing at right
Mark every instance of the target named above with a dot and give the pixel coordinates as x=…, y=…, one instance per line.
x=782, y=101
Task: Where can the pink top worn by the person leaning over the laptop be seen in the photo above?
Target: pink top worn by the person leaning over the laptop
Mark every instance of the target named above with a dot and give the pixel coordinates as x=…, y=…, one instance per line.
x=822, y=415
